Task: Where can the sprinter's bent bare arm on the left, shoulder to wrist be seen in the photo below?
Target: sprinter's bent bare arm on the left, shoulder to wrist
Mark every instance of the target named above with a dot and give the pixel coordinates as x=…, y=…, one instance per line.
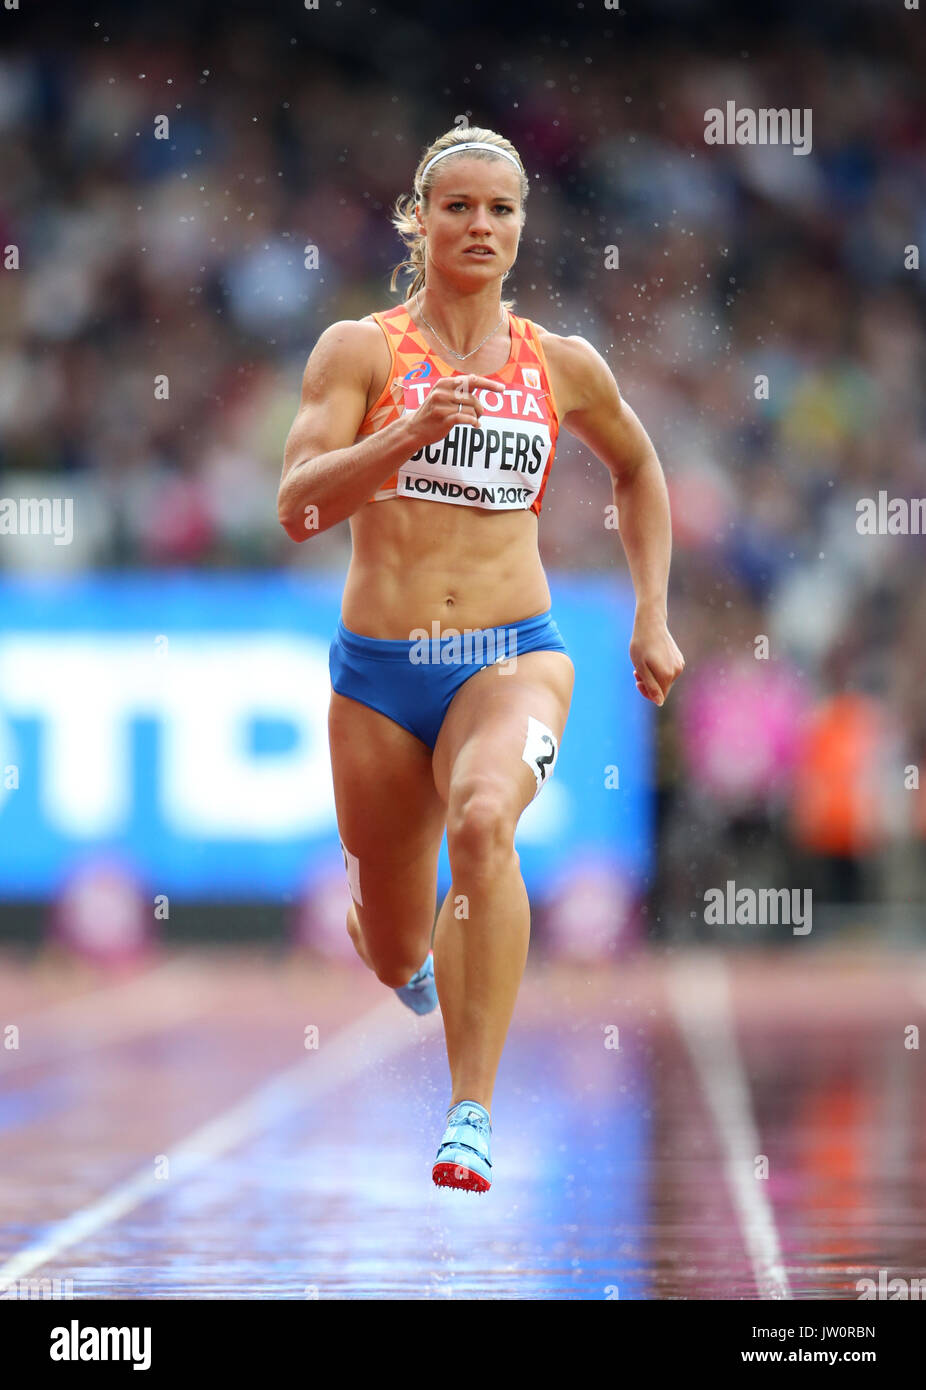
x=323, y=468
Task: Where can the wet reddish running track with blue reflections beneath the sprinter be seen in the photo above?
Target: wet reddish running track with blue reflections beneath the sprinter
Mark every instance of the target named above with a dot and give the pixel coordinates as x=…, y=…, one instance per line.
x=169, y=1135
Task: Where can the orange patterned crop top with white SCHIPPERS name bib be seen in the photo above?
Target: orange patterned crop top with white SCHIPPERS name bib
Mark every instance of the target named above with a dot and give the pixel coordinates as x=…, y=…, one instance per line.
x=501, y=465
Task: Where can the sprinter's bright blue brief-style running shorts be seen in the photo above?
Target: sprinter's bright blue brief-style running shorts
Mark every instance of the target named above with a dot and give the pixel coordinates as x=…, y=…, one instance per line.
x=414, y=683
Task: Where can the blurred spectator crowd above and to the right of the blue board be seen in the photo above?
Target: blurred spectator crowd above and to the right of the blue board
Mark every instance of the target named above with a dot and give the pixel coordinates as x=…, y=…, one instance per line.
x=765, y=320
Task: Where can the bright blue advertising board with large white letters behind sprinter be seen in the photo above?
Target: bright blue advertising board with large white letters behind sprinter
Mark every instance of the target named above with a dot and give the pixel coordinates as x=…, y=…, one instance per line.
x=180, y=723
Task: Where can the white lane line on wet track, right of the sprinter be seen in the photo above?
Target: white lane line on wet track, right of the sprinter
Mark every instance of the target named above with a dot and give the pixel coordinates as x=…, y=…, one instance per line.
x=700, y=993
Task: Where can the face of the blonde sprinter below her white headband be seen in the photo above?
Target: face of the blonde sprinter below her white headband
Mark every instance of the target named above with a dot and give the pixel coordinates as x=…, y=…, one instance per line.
x=473, y=202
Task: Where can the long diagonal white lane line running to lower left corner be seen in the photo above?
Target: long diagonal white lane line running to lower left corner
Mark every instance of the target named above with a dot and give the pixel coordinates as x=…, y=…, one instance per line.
x=375, y=1038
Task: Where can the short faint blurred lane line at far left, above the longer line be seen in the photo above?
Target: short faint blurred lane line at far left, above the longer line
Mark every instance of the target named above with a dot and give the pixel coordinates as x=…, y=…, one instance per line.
x=155, y=1001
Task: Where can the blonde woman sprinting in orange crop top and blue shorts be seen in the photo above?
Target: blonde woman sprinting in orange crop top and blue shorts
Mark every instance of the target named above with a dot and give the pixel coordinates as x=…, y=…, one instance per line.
x=432, y=427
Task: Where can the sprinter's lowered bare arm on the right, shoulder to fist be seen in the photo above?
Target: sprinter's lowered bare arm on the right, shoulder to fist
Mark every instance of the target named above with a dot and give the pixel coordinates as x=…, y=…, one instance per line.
x=603, y=420
